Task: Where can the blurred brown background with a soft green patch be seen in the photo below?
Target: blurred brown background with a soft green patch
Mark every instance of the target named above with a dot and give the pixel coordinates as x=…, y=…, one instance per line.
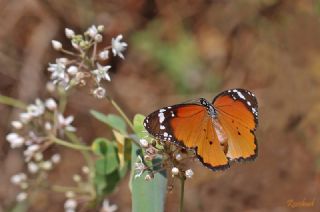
x=179, y=50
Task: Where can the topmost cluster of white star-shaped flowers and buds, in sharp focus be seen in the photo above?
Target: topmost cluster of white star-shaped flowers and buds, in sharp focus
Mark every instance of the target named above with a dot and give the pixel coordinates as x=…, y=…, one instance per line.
x=85, y=62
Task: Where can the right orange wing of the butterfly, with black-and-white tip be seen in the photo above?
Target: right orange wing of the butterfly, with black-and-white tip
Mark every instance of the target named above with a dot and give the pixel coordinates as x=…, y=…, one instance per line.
x=237, y=112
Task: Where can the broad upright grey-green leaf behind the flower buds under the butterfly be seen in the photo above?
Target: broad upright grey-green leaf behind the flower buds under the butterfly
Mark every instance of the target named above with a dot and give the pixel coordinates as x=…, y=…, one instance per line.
x=146, y=195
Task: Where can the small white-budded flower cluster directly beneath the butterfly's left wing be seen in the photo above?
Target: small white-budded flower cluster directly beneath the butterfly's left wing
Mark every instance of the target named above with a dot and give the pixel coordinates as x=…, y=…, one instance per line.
x=170, y=155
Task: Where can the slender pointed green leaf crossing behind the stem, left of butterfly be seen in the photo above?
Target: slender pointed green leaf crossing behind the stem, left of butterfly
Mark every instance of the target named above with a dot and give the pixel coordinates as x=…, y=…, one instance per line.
x=114, y=121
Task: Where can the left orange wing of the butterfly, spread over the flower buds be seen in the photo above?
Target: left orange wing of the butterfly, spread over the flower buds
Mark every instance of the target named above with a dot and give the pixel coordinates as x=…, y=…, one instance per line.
x=190, y=126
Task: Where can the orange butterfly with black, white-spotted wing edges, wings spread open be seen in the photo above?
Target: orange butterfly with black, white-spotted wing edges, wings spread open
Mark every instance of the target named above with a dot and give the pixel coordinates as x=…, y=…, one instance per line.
x=219, y=132
